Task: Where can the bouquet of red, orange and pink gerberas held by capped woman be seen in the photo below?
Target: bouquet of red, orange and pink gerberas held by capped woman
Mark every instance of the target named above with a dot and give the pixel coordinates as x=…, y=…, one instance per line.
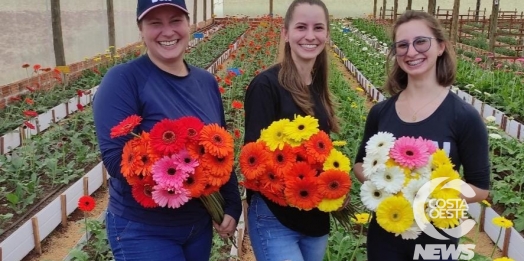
x=176, y=161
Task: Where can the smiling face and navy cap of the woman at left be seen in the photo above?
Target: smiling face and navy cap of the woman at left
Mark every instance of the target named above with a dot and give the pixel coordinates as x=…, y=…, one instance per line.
x=165, y=31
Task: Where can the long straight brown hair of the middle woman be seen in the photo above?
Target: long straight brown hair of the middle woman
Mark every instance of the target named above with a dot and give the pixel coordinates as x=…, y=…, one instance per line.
x=289, y=78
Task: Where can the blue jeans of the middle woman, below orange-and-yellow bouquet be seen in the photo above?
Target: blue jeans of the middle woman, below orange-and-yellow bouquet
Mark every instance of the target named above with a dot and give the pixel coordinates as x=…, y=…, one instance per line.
x=272, y=241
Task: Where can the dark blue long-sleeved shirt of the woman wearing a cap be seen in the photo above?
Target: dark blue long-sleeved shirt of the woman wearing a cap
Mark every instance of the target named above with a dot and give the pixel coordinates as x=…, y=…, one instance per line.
x=140, y=87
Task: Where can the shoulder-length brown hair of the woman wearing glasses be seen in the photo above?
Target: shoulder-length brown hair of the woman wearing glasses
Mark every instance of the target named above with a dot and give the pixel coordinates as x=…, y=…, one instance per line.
x=446, y=63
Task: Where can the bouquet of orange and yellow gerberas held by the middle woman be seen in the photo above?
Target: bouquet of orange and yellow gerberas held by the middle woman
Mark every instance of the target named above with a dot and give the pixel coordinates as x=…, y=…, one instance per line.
x=293, y=163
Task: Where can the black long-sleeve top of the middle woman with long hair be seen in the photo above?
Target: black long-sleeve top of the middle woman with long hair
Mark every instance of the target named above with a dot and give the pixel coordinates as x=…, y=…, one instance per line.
x=267, y=101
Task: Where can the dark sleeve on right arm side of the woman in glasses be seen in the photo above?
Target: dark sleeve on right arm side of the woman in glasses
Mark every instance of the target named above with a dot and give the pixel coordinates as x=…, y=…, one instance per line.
x=473, y=149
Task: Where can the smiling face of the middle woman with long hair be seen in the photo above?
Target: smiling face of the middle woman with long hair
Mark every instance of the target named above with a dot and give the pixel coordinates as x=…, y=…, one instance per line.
x=307, y=32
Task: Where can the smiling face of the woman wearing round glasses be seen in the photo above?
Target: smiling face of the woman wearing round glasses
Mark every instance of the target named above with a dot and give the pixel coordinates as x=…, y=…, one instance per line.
x=417, y=64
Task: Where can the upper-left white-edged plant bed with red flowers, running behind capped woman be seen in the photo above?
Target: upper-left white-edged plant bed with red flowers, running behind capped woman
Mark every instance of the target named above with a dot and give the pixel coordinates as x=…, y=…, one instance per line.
x=54, y=105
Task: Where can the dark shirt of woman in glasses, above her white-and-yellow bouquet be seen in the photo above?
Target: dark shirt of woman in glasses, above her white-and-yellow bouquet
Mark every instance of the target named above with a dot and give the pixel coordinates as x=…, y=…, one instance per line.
x=455, y=126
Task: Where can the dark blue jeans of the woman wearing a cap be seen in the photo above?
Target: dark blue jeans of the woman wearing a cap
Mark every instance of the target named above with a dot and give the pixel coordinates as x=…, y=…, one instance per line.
x=134, y=241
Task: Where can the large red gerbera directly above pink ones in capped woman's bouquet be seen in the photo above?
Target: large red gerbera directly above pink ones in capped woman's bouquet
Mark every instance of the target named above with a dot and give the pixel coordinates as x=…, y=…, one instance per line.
x=168, y=137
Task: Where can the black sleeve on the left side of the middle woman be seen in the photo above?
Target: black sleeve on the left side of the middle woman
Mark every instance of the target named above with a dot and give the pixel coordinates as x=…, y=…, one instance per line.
x=260, y=106
